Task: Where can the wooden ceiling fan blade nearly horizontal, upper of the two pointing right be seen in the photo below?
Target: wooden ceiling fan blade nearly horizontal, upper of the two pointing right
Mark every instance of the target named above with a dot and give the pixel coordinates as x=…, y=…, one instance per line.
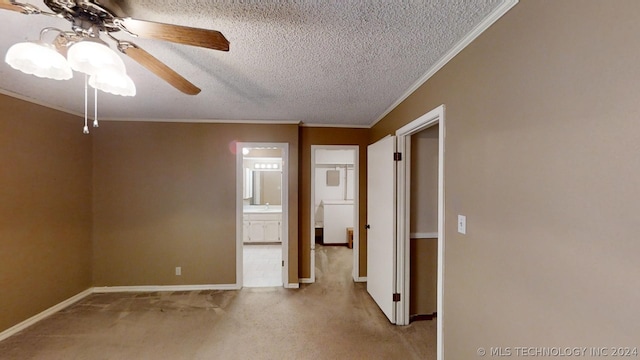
x=211, y=39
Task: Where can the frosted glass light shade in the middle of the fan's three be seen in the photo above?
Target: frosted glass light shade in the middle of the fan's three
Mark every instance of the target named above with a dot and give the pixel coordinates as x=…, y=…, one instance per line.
x=91, y=55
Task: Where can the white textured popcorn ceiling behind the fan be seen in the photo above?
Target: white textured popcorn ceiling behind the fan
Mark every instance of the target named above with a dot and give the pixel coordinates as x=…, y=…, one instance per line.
x=318, y=62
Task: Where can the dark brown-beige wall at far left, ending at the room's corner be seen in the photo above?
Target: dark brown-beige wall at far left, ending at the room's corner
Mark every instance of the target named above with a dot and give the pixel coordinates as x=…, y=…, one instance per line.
x=45, y=209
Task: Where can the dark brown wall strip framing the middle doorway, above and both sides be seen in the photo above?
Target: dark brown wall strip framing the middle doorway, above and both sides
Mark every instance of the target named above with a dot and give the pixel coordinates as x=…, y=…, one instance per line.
x=330, y=136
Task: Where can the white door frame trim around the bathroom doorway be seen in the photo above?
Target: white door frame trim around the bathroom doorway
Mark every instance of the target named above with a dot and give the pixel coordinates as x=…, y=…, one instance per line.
x=285, y=208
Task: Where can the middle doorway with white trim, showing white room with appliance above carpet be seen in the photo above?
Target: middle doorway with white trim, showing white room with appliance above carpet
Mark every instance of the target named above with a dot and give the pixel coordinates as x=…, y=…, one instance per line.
x=334, y=202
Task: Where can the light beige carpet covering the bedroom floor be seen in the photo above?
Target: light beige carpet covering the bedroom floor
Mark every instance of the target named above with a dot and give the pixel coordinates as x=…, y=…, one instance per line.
x=331, y=319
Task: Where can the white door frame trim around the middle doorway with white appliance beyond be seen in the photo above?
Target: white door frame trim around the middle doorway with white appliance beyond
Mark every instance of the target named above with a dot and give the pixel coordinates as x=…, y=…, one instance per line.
x=356, y=211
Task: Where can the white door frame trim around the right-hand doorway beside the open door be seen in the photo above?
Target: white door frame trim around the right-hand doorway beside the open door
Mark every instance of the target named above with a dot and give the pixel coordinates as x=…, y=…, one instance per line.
x=433, y=117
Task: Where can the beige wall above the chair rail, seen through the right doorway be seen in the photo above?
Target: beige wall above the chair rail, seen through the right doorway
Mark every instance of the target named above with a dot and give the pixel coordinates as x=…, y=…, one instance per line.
x=424, y=181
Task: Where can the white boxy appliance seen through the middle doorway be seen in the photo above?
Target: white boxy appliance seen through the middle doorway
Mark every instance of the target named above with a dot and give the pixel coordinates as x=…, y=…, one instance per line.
x=338, y=216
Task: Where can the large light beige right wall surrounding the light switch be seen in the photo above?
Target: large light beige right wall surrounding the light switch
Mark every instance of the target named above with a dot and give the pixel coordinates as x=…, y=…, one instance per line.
x=542, y=156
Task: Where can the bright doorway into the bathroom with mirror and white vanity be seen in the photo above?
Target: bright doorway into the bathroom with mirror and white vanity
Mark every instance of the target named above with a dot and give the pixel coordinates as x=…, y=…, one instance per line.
x=262, y=214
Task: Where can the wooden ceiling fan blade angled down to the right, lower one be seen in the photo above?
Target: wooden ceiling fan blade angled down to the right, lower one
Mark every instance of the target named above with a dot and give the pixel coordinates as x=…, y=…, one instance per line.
x=159, y=68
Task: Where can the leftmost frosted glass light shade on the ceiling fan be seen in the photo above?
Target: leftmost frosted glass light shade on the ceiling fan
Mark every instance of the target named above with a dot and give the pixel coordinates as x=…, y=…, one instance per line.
x=39, y=59
